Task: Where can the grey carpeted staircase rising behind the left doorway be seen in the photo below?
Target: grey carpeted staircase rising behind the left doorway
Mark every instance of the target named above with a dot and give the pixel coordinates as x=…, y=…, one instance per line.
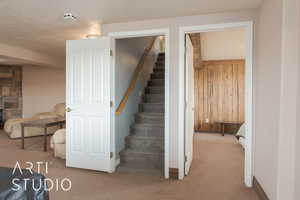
x=144, y=150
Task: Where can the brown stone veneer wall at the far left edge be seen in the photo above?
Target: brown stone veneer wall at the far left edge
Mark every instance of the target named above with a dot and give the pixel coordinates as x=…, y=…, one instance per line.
x=11, y=91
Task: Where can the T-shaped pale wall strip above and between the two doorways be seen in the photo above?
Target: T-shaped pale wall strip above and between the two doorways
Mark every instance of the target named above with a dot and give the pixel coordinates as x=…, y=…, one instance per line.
x=173, y=24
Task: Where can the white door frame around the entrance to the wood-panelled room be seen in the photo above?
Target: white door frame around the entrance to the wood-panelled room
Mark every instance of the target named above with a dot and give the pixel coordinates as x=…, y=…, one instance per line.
x=248, y=25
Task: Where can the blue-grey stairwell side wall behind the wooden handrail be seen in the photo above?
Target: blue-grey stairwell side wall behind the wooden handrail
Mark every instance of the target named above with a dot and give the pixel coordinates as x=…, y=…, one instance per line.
x=128, y=54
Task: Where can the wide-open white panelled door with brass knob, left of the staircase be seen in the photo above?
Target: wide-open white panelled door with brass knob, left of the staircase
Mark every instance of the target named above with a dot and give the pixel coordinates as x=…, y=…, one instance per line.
x=88, y=117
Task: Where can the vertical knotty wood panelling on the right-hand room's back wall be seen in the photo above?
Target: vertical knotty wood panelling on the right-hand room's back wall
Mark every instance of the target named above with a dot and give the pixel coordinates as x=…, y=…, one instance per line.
x=219, y=94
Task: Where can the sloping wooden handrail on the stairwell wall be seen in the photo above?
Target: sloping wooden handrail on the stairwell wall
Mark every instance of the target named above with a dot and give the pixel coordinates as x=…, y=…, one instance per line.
x=134, y=78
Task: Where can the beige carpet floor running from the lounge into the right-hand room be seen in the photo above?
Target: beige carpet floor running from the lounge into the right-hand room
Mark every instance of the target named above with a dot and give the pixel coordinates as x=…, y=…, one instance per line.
x=216, y=174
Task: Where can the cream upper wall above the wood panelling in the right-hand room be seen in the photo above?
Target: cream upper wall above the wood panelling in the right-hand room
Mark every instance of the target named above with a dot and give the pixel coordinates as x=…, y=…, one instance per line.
x=223, y=45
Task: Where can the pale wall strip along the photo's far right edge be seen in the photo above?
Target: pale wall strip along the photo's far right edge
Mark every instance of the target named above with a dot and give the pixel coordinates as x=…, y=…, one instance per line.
x=289, y=97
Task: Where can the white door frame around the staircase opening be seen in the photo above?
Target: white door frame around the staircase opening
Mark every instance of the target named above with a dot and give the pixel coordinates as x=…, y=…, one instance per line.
x=144, y=33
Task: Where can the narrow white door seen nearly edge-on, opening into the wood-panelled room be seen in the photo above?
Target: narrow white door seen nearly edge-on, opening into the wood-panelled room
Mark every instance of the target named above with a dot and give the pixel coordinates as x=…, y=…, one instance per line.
x=189, y=104
